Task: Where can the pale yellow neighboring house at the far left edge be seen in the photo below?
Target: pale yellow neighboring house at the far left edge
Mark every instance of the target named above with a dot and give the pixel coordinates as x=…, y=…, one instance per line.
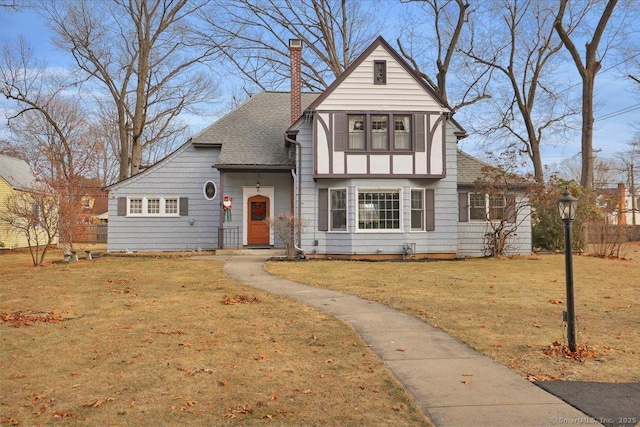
x=15, y=177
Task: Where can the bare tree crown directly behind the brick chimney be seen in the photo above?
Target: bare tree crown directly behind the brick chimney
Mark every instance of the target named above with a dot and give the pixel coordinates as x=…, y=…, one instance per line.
x=253, y=36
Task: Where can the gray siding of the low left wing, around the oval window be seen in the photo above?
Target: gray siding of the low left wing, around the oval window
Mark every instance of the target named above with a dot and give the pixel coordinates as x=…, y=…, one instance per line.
x=181, y=175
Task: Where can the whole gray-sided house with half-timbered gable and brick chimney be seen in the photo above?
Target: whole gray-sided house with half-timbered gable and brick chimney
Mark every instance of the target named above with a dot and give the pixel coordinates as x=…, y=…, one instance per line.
x=370, y=166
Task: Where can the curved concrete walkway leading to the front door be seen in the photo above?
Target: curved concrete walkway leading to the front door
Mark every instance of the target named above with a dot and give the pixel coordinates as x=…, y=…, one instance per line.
x=453, y=384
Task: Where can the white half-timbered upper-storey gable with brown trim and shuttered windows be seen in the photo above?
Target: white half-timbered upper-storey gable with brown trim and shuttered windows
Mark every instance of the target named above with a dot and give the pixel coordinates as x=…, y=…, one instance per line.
x=379, y=120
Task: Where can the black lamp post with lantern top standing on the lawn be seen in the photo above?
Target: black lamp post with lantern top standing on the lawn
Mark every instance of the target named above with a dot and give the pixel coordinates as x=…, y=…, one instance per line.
x=567, y=206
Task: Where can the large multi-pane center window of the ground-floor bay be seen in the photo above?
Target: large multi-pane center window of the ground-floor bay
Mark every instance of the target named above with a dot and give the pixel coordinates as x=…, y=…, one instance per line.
x=379, y=210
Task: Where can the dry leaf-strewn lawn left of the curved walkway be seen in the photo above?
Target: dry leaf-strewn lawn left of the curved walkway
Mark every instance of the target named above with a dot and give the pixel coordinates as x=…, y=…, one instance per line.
x=149, y=341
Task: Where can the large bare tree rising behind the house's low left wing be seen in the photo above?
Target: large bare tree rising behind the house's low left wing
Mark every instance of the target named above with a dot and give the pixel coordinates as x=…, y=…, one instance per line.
x=140, y=57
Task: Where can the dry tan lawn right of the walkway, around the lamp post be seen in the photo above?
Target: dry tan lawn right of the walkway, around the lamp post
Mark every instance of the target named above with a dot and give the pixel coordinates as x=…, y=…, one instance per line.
x=509, y=309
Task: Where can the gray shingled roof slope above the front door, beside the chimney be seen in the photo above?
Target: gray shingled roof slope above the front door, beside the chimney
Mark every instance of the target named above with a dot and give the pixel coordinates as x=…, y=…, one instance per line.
x=253, y=134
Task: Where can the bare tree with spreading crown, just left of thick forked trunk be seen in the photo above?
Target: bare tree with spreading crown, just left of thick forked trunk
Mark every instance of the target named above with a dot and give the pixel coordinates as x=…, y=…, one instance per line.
x=518, y=42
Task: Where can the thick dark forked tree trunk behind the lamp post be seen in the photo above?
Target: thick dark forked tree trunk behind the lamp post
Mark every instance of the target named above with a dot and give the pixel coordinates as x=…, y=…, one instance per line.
x=588, y=71
